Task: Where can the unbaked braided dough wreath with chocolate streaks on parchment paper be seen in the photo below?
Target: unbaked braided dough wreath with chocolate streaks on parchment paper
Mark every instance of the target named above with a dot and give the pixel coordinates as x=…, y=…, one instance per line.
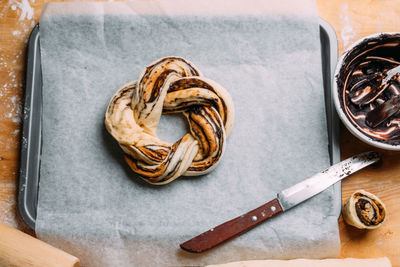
x=170, y=85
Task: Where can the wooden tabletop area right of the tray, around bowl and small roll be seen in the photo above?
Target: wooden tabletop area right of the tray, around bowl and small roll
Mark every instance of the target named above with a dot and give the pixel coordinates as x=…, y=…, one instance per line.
x=353, y=20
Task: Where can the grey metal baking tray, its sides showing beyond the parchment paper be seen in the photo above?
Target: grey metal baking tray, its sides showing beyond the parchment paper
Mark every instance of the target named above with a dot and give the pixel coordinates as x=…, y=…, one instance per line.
x=31, y=141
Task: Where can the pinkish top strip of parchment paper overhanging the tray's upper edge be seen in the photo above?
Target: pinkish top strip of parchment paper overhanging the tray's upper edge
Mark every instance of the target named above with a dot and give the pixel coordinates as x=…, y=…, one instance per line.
x=182, y=7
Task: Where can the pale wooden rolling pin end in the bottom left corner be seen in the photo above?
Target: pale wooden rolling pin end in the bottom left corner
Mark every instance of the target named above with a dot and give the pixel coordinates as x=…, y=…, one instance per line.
x=20, y=249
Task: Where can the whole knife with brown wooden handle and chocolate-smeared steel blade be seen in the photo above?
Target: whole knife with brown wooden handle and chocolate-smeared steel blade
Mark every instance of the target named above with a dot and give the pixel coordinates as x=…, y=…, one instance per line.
x=285, y=200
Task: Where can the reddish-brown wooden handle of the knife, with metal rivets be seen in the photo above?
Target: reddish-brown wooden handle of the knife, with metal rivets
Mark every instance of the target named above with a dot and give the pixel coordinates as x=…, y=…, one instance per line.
x=232, y=228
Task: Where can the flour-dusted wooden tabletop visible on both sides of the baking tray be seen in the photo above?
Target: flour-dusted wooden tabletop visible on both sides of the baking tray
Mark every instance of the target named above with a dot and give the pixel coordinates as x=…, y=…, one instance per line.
x=351, y=19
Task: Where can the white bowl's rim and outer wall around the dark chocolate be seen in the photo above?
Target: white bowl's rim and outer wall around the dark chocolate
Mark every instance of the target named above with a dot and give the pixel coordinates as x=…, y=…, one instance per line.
x=351, y=52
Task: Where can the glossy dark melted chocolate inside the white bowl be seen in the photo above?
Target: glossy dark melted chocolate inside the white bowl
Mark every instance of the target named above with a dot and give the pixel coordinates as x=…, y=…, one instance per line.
x=359, y=85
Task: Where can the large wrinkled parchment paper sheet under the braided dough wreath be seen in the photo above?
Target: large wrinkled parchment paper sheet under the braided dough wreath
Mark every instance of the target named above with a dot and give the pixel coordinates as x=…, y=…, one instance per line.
x=93, y=206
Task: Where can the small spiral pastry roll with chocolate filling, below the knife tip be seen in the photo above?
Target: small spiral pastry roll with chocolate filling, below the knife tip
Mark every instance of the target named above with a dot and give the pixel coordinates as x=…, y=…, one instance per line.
x=364, y=210
